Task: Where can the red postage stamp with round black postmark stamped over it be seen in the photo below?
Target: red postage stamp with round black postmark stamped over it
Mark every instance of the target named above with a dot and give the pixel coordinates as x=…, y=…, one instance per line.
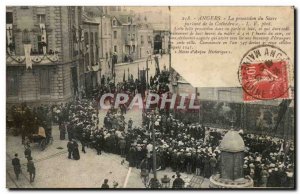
x=263, y=73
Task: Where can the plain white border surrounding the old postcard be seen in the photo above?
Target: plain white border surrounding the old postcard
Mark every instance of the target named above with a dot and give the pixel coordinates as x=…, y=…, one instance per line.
x=110, y=2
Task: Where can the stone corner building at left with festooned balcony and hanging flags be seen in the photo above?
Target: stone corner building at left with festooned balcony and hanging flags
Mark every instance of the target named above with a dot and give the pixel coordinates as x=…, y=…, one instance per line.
x=43, y=53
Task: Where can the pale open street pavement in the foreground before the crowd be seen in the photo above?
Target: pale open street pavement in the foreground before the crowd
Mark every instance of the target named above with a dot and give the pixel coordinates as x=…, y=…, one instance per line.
x=55, y=170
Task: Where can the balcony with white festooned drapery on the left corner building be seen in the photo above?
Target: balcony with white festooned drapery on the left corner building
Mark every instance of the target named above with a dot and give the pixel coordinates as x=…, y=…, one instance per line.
x=47, y=59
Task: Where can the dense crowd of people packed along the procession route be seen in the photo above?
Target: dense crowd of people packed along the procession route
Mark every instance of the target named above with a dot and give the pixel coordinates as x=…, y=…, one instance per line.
x=190, y=148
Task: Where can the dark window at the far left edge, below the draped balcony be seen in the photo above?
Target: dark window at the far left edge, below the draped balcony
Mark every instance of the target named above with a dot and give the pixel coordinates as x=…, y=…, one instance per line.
x=12, y=83
